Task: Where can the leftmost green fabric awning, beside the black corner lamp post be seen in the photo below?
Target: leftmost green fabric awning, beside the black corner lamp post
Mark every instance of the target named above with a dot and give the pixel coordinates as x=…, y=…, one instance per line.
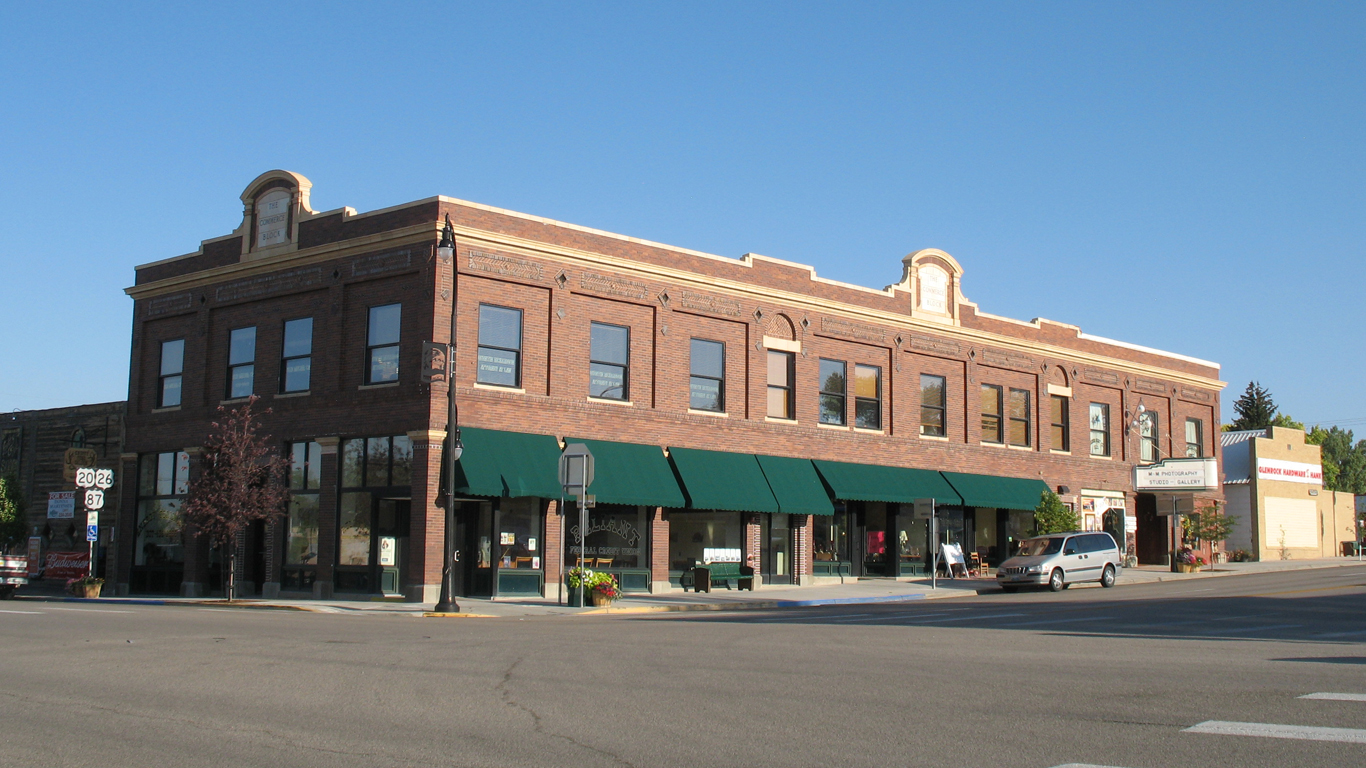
x=507, y=464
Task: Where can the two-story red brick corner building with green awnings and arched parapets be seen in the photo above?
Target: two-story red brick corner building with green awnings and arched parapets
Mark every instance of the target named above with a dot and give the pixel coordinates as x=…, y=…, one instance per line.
x=738, y=409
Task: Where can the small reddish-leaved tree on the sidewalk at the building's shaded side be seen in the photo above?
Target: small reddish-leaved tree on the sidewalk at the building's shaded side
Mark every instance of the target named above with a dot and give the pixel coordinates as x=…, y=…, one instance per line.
x=241, y=480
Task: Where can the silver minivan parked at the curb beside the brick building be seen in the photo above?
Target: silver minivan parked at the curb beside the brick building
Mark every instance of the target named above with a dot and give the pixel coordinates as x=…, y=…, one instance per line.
x=1062, y=560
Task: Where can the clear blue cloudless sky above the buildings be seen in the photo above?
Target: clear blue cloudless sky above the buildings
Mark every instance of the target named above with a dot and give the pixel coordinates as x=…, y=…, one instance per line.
x=1190, y=180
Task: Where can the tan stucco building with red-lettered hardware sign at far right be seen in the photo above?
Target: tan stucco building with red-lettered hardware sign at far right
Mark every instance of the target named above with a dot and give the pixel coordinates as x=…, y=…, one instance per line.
x=1274, y=483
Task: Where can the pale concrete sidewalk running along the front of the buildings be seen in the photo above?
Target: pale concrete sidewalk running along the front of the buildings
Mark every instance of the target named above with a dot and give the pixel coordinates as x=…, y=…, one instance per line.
x=854, y=592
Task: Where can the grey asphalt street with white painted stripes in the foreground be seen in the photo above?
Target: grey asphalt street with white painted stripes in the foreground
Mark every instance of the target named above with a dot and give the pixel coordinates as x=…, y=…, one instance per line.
x=1249, y=672
